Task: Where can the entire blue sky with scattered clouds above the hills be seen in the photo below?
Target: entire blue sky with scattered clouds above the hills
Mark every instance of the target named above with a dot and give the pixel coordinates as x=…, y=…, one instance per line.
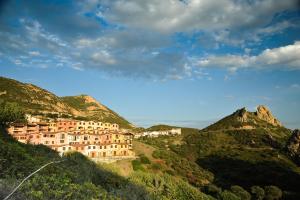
x=179, y=62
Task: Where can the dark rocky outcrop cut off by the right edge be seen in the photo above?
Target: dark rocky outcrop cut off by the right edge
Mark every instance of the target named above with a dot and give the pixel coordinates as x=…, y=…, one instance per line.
x=293, y=146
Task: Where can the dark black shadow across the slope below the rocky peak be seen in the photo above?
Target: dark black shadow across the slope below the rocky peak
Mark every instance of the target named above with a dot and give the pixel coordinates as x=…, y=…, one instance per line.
x=230, y=171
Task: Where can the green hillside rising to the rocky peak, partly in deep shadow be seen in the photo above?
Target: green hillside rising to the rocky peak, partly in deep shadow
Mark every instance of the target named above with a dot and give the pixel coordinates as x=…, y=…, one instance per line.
x=243, y=149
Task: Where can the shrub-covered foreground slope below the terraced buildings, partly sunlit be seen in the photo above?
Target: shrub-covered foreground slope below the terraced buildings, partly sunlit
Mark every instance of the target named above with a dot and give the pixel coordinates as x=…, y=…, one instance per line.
x=76, y=177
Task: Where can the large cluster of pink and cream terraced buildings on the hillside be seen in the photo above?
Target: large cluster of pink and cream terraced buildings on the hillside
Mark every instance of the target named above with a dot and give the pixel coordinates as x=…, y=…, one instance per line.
x=96, y=140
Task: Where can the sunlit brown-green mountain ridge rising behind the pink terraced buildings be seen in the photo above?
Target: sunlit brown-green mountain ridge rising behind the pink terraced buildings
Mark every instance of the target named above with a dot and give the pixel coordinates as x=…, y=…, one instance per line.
x=36, y=100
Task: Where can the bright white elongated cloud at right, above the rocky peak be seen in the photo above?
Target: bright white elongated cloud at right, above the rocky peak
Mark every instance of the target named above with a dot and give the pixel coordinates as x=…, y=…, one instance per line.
x=285, y=57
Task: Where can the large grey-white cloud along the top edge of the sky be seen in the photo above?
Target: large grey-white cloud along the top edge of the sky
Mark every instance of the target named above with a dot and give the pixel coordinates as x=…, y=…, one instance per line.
x=173, y=15
